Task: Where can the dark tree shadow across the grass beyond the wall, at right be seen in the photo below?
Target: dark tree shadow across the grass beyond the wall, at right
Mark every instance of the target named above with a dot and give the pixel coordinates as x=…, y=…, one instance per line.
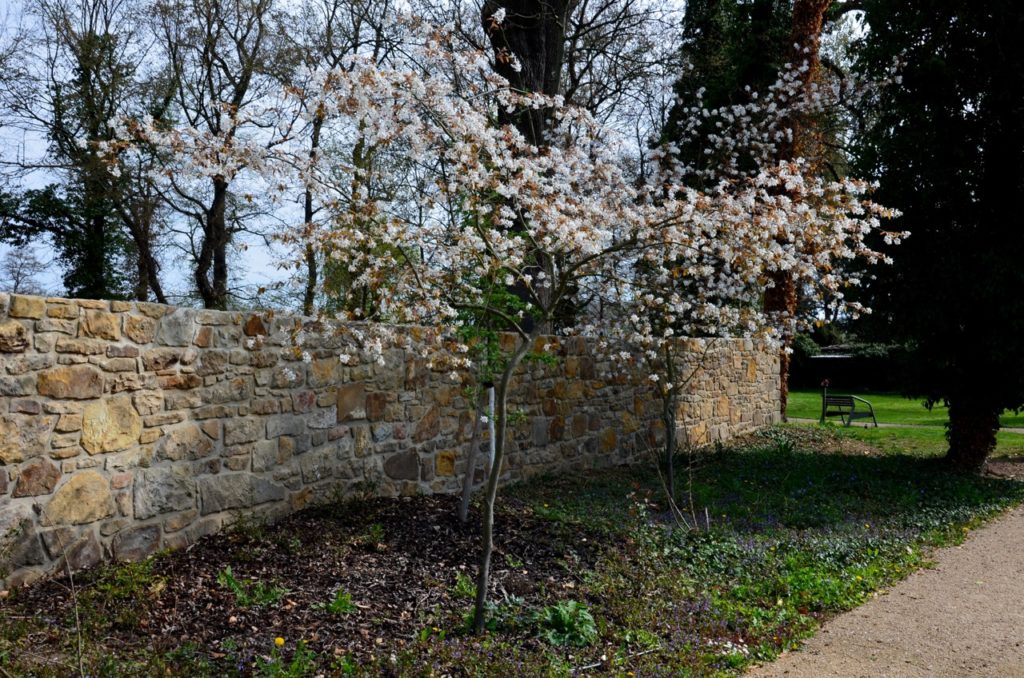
x=780, y=488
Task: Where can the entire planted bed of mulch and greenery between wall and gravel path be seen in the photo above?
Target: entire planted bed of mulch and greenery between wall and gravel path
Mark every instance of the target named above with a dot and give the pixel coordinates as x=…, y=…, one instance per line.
x=591, y=575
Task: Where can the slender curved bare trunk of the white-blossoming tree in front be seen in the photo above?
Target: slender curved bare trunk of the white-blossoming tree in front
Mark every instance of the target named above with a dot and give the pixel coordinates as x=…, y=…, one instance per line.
x=488, y=521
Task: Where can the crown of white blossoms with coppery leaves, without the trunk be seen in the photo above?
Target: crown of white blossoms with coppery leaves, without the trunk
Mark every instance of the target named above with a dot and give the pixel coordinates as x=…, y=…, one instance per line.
x=440, y=206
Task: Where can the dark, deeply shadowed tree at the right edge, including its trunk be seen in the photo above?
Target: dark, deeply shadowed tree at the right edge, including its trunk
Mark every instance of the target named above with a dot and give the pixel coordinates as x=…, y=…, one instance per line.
x=947, y=144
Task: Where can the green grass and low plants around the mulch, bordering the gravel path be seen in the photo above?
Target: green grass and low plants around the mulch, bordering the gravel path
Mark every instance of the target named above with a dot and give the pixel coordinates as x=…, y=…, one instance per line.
x=792, y=537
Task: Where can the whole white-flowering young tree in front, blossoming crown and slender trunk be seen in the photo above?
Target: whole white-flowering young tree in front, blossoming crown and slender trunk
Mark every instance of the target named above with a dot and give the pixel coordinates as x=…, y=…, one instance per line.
x=459, y=209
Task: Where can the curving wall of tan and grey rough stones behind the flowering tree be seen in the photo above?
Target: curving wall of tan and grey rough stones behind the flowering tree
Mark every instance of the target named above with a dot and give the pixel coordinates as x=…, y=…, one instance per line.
x=131, y=428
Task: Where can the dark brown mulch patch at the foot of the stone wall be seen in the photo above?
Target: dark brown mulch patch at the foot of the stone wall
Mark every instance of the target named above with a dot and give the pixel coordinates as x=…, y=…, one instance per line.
x=398, y=559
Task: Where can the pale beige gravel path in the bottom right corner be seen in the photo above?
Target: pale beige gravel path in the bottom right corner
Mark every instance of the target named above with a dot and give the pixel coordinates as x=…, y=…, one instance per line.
x=964, y=618
